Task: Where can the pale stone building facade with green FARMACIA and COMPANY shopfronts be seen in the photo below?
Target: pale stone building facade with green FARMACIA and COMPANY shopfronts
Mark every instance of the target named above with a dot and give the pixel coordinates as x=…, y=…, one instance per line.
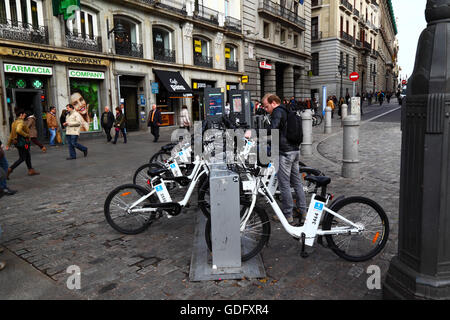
x=131, y=54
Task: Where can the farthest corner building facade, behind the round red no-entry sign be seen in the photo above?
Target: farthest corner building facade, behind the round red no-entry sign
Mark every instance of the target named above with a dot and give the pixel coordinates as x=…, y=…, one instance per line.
x=347, y=37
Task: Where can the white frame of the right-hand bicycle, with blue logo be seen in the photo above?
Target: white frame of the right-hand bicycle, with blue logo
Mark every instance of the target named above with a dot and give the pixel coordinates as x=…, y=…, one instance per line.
x=310, y=229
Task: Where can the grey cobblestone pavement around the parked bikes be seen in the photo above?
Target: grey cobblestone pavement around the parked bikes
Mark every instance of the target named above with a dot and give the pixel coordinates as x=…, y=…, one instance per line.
x=56, y=220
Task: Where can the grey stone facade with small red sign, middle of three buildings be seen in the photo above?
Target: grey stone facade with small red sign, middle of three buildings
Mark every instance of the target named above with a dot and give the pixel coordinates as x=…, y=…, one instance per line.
x=277, y=47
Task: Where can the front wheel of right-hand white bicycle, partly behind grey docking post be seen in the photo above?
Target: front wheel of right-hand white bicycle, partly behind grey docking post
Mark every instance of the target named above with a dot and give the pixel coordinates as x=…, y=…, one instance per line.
x=254, y=237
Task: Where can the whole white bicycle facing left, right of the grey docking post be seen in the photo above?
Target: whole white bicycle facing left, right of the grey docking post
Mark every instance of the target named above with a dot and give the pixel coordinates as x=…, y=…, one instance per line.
x=356, y=228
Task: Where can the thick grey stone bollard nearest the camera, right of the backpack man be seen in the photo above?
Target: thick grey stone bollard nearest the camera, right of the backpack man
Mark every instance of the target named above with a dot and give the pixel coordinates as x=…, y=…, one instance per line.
x=350, y=161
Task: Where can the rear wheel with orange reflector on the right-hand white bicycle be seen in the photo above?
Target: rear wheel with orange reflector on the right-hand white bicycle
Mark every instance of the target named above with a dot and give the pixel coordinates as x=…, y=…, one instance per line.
x=365, y=245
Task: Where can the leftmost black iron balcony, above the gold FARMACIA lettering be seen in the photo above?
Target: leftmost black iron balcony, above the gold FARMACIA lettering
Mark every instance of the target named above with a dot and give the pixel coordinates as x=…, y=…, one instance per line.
x=19, y=31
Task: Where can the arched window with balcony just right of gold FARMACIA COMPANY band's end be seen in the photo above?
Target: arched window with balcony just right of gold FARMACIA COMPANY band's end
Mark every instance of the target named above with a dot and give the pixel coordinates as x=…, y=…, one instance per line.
x=127, y=43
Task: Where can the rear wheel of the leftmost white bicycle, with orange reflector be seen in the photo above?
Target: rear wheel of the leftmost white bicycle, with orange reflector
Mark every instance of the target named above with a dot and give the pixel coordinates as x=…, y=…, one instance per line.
x=116, y=209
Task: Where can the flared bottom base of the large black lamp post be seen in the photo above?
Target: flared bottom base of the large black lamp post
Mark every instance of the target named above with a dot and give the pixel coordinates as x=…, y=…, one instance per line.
x=404, y=283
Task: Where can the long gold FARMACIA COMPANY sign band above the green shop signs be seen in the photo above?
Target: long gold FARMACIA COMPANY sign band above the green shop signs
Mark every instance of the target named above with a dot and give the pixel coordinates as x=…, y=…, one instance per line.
x=48, y=56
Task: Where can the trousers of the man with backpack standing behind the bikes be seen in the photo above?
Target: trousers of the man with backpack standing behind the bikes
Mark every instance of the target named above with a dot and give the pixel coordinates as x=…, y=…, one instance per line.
x=289, y=173
